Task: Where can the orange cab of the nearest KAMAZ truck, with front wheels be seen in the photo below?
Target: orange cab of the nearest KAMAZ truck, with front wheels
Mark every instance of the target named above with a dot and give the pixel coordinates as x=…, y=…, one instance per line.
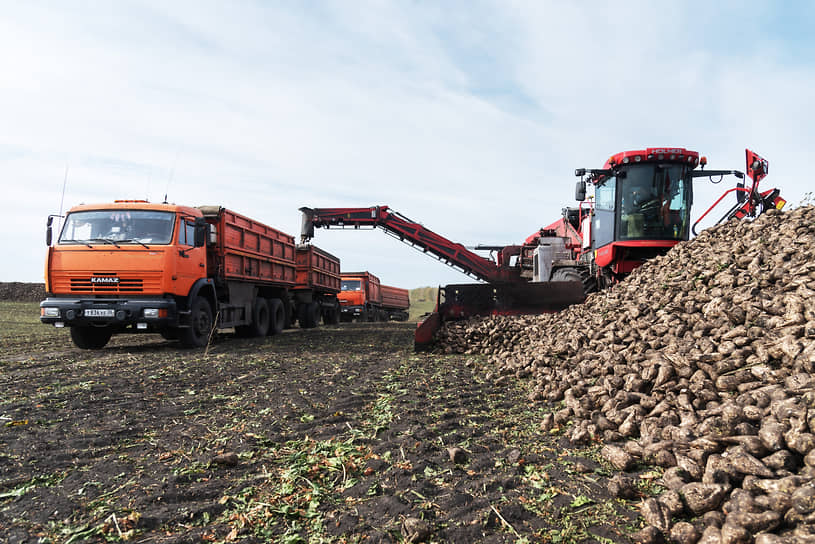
x=126, y=266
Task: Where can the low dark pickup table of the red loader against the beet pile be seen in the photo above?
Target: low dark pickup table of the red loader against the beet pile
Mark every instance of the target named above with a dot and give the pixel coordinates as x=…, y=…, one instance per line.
x=463, y=301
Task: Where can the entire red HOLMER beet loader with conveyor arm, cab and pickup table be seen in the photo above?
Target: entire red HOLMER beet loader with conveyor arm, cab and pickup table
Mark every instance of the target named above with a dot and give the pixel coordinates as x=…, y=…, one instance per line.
x=638, y=207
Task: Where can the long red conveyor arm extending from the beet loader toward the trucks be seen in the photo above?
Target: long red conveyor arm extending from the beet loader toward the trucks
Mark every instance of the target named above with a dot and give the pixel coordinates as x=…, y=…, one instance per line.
x=410, y=232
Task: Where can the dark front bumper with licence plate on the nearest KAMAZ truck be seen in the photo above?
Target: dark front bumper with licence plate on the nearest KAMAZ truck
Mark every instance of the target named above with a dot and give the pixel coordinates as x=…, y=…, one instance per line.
x=147, y=313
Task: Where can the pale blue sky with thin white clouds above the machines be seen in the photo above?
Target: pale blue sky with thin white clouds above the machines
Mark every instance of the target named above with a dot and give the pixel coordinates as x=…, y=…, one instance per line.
x=469, y=117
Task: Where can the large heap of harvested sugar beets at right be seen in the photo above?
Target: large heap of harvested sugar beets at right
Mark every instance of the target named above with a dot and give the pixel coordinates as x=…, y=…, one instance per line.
x=701, y=362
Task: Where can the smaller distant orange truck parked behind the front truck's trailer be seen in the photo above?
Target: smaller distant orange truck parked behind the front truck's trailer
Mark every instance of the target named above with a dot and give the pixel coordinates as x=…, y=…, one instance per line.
x=363, y=298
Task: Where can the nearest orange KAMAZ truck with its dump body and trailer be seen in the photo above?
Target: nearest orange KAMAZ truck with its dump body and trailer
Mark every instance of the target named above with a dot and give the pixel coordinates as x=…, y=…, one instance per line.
x=131, y=266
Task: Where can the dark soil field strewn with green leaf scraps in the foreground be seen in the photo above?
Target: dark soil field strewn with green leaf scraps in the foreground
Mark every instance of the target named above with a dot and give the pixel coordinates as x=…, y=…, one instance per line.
x=336, y=434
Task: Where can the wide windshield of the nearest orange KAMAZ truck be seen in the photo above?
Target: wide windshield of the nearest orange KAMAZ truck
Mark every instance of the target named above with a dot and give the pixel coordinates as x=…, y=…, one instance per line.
x=120, y=226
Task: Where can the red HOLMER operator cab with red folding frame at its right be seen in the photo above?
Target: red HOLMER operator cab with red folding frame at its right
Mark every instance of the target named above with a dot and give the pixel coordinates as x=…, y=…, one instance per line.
x=640, y=206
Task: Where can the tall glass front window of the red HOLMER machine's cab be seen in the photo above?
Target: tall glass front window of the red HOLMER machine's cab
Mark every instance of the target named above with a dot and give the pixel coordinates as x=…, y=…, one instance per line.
x=654, y=202
